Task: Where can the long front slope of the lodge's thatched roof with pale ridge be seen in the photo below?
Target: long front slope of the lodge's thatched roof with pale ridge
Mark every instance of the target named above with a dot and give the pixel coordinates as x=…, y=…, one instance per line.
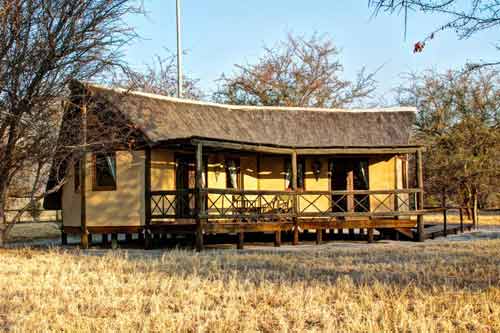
x=164, y=118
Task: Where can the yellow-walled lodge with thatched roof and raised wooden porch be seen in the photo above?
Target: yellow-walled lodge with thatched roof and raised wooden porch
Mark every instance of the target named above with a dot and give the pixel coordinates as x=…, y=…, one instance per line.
x=203, y=169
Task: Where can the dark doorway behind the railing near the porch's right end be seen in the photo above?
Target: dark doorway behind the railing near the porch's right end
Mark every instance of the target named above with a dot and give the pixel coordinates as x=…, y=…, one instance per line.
x=349, y=174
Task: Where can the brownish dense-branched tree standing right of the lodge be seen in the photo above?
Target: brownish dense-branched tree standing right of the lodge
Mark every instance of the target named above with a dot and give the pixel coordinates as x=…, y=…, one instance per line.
x=459, y=122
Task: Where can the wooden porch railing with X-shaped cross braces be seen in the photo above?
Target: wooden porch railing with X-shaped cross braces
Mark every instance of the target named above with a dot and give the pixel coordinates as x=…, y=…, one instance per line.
x=254, y=205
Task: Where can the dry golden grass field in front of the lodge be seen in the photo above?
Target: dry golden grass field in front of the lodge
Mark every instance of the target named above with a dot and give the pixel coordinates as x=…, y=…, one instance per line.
x=348, y=287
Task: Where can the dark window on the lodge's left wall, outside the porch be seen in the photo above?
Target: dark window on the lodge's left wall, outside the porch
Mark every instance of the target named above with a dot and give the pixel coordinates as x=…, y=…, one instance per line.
x=104, y=172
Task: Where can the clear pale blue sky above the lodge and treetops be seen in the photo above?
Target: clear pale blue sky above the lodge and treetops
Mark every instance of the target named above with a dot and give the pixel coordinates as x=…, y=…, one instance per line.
x=218, y=34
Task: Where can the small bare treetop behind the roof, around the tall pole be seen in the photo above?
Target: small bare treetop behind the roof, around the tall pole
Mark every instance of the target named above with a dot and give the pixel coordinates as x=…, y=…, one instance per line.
x=159, y=77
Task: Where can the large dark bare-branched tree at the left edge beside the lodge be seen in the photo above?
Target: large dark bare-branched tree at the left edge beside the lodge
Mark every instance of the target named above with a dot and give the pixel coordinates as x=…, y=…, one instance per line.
x=45, y=45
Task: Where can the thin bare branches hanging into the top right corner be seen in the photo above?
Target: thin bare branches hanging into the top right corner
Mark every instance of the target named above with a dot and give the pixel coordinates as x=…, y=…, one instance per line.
x=466, y=18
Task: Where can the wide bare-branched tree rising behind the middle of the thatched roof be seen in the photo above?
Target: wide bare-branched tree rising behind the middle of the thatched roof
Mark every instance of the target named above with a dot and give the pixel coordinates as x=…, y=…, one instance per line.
x=296, y=72
